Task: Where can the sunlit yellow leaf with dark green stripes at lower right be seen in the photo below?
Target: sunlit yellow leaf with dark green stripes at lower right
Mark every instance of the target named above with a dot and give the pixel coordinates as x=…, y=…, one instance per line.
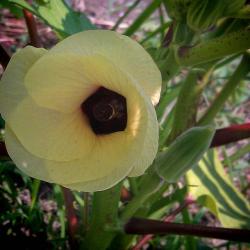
x=209, y=183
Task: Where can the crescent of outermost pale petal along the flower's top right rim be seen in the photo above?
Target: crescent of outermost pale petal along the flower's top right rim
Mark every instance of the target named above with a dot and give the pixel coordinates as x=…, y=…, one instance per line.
x=122, y=51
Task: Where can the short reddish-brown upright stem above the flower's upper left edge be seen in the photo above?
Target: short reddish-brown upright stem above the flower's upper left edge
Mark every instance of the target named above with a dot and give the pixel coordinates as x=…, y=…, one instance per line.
x=32, y=29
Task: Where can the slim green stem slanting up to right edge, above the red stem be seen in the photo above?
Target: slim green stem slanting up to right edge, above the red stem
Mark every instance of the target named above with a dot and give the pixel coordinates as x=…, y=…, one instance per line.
x=239, y=74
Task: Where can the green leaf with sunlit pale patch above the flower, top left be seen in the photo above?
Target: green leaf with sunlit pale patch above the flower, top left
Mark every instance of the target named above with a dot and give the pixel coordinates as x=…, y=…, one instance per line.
x=59, y=16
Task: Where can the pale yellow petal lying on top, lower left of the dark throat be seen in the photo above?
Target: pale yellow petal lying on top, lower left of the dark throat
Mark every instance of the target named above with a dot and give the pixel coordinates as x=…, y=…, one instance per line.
x=49, y=134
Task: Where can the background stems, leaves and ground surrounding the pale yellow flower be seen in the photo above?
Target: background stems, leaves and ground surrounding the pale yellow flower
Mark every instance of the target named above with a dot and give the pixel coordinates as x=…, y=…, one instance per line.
x=201, y=50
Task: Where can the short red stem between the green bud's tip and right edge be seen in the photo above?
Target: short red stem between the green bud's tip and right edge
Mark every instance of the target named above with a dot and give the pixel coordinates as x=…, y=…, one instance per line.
x=231, y=134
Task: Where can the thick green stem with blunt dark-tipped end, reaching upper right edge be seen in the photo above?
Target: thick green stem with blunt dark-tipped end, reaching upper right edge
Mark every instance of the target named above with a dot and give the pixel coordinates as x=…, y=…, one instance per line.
x=228, y=44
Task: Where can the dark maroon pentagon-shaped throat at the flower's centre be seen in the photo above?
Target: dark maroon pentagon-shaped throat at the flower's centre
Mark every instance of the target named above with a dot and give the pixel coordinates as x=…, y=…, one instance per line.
x=106, y=111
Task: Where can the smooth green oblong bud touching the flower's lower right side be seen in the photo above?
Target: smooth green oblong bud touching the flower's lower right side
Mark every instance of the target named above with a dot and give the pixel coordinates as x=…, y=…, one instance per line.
x=184, y=153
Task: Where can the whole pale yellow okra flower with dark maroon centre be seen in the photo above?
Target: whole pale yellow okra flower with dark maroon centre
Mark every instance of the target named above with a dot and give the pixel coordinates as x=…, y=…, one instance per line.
x=81, y=114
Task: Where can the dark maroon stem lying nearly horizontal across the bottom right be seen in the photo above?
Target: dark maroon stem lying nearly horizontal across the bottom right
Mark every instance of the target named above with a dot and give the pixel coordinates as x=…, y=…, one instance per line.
x=146, y=226
